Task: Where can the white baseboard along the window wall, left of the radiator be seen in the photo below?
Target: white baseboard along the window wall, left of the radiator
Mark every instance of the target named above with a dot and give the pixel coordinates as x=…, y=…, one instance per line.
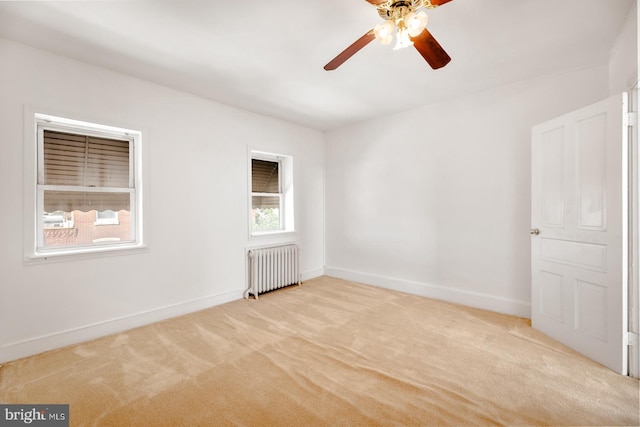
x=55, y=340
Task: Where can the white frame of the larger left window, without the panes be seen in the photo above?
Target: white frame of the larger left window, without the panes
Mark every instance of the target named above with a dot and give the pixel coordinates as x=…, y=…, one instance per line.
x=34, y=228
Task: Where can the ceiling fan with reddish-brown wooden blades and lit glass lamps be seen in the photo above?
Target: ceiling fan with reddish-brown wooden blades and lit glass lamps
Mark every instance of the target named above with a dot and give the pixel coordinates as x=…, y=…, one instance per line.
x=409, y=22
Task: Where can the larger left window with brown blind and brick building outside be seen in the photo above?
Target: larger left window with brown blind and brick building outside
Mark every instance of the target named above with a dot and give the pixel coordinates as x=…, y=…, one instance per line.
x=87, y=190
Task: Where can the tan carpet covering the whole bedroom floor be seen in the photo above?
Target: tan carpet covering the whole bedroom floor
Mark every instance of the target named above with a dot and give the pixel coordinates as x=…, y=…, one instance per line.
x=329, y=352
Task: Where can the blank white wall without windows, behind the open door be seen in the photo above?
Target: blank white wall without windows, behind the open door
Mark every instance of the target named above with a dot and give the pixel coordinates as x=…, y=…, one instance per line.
x=436, y=201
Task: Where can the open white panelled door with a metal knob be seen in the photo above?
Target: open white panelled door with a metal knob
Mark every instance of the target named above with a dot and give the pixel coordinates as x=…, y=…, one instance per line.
x=578, y=231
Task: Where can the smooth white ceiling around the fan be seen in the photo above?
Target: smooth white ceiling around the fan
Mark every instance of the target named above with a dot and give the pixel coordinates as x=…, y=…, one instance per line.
x=267, y=56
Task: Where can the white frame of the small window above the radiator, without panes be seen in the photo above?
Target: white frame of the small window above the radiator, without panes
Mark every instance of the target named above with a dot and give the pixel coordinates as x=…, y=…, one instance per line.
x=285, y=177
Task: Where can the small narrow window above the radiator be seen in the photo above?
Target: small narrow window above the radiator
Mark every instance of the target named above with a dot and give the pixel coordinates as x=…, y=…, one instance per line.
x=271, y=193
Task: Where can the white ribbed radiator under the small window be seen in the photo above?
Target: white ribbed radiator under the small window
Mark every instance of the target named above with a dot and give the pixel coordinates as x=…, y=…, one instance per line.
x=272, y=268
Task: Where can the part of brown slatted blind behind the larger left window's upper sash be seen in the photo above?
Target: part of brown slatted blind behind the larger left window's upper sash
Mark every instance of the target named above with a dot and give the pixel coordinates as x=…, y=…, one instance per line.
x=83, y=160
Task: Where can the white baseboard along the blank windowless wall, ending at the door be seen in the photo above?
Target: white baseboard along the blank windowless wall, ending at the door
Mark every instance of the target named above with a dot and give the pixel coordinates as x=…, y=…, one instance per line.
x=457, y=296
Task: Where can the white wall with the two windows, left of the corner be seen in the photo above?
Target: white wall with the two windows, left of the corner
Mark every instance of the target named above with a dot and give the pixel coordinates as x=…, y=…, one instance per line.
x=196, y=211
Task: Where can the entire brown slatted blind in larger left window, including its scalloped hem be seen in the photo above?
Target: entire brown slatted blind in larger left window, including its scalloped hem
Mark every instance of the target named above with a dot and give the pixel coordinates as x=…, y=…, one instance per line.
x=85, y=161
